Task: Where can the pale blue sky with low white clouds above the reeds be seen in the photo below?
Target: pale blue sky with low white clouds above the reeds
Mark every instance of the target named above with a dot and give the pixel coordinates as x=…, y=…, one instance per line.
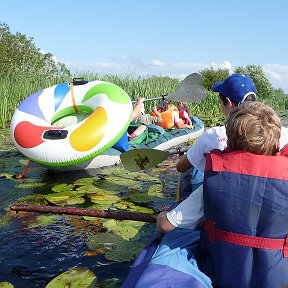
x=157, y=37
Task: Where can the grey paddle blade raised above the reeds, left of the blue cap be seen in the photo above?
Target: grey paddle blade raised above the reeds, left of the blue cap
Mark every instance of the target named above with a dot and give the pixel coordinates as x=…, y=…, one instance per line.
x=189, y=90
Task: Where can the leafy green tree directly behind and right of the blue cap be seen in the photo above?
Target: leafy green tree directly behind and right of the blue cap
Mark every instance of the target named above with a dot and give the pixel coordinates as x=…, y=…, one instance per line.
x=256, y=72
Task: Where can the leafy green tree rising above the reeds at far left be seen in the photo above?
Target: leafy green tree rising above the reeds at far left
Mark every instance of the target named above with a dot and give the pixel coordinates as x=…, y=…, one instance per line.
x=19, y=54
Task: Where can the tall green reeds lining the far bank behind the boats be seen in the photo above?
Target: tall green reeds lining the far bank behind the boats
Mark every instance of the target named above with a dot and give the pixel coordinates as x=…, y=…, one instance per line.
x=15, y=87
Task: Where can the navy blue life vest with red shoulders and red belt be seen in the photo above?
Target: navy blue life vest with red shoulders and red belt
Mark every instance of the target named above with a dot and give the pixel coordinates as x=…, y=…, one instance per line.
x=244, y=240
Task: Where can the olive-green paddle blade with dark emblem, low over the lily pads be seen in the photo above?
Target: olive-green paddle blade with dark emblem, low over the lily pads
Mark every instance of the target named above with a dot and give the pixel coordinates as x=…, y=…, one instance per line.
x=141, y=159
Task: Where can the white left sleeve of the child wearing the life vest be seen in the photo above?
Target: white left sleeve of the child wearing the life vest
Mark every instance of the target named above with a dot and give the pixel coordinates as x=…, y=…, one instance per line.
x=189, y=212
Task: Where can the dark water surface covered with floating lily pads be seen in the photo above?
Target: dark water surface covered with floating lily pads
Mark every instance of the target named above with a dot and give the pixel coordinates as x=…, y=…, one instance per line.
x=35, y=248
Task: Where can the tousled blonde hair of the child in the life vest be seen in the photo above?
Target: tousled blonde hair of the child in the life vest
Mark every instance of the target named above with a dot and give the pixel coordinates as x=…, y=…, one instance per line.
x=253, y=127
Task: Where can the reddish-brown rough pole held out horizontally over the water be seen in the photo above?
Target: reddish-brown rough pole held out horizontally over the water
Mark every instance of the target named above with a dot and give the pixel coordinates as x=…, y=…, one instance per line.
x=111, y=214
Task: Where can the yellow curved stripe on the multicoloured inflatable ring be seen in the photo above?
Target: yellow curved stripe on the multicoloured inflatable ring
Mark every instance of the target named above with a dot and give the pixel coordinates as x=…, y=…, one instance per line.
x=90, y=133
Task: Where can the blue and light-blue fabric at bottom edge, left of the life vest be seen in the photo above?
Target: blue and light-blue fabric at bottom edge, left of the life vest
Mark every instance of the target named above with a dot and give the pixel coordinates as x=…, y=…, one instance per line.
x=169, y=264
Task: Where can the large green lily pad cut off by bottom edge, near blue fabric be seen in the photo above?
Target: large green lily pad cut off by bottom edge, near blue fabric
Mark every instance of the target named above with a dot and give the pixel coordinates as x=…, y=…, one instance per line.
x=76, y=277
